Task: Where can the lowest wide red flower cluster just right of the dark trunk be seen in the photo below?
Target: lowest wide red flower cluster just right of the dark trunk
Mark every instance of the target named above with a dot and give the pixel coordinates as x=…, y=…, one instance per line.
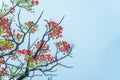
x=46, y=58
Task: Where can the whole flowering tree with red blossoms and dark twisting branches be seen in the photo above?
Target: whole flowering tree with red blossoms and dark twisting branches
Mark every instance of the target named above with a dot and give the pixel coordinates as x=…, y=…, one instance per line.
x=18, y=62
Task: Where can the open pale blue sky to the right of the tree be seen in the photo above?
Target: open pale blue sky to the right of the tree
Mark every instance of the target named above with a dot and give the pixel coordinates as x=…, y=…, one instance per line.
x=94, y=27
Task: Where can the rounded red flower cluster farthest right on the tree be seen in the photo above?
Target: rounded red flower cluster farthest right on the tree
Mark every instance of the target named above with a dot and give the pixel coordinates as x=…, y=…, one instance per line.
x=63, y=46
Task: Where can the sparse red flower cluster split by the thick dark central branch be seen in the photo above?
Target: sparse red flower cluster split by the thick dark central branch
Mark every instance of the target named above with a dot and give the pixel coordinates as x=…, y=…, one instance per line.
x=44, y=49
